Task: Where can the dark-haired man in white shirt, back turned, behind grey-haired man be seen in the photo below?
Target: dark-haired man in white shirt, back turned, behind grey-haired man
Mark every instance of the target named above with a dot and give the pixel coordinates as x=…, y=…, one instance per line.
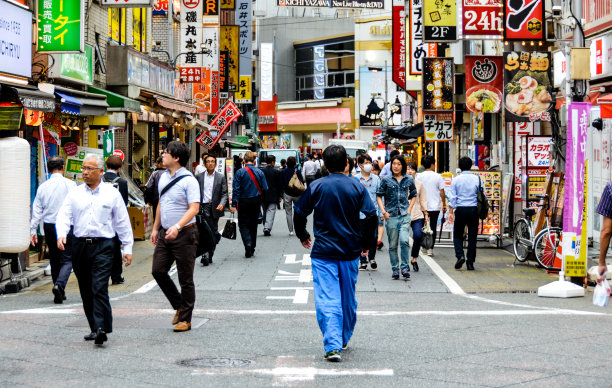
x=49, y=198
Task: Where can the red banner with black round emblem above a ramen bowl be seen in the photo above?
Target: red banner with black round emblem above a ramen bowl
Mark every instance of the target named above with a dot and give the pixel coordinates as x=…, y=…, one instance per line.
x=484, y=83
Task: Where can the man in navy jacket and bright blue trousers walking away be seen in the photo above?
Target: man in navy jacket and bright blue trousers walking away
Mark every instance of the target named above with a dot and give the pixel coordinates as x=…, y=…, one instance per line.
x=339, y=242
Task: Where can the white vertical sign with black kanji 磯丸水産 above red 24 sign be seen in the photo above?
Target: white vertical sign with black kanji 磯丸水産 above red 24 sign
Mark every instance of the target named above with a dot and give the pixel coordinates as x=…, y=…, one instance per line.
x=191, y=33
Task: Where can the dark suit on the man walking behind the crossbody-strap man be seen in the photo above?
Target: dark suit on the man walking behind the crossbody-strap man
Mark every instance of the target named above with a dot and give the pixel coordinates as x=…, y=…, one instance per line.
x=218, y=196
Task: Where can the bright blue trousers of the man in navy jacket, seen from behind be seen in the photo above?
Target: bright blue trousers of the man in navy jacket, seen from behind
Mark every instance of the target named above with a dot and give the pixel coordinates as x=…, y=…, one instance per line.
x=335, y=302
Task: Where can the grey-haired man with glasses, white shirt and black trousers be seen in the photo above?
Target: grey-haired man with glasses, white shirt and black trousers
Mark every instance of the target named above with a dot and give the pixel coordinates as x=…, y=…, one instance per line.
x=97, y=211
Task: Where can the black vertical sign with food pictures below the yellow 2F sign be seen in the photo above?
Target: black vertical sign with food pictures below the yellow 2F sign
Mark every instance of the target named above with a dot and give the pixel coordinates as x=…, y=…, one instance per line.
x=438, y=84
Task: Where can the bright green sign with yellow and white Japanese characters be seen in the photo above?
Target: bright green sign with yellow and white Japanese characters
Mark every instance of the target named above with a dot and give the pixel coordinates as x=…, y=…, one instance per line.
x=61, y=26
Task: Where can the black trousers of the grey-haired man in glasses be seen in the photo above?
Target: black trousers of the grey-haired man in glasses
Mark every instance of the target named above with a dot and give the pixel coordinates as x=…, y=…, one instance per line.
x=92, y=262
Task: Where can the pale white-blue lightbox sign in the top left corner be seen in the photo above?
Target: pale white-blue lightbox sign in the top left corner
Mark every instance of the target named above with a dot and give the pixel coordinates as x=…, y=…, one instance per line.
x=16, y=32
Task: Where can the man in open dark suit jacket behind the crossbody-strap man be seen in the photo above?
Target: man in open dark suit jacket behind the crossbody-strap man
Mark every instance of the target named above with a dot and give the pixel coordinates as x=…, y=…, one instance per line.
x=213, y=187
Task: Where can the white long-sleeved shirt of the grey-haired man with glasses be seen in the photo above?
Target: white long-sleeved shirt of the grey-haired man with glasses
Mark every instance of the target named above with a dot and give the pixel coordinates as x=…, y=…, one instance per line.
x=96, y=213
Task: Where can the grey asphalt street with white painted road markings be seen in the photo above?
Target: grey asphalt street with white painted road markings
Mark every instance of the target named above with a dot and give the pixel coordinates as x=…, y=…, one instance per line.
x=254, y=325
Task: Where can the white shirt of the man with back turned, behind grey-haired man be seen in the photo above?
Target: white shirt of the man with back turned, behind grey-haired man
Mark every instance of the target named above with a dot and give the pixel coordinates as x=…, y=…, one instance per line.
x=49, y=198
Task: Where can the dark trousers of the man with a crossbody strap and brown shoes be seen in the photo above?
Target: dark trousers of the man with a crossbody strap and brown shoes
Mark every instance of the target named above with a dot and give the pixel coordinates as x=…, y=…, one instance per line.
x=182, y=250
